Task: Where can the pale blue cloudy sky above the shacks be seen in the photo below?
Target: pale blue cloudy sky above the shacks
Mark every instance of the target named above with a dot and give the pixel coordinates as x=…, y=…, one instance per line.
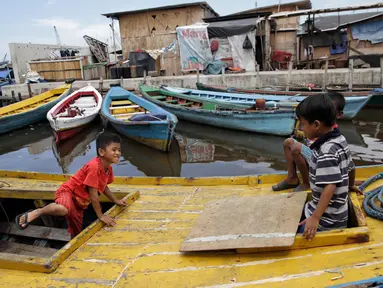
x=26, y=21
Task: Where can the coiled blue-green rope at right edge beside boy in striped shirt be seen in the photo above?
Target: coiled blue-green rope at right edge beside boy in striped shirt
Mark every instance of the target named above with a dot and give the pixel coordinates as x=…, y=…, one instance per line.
x=373, y=197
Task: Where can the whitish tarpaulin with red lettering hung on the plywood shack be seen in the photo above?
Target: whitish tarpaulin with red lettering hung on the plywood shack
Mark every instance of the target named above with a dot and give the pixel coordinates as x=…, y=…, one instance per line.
x=194, y=47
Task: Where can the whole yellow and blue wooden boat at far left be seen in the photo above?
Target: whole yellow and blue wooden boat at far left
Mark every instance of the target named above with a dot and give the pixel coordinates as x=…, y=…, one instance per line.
x=31, y=110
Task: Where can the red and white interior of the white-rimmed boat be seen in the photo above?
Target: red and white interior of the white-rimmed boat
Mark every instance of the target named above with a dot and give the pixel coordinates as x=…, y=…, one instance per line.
x=83, y=104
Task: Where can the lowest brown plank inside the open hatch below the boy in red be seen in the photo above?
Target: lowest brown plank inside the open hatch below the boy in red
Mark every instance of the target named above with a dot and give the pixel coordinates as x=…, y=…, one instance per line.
x=22, y=249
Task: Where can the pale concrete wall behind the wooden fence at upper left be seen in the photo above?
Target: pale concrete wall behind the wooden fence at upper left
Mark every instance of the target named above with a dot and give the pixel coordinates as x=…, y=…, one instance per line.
x=21, y=53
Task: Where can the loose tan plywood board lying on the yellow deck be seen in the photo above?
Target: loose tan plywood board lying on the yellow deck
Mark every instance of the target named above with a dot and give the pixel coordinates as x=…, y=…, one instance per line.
x=247, y=222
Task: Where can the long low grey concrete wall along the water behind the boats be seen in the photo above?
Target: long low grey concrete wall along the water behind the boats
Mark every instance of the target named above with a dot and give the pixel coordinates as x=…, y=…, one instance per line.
x=249, y=80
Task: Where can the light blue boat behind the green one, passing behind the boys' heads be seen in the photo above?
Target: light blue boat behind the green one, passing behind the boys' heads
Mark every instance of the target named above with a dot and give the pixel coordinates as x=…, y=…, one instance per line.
x=355, y=101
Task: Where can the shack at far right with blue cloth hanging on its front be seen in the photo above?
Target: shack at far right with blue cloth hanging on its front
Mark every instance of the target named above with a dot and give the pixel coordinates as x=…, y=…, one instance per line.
x=339, y=37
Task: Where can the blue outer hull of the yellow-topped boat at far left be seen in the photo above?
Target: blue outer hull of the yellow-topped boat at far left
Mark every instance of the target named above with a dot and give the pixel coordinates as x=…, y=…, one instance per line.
x=20, y=120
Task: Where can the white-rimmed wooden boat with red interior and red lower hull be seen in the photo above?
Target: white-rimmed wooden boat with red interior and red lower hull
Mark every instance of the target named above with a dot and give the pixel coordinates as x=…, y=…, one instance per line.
x=75, y=112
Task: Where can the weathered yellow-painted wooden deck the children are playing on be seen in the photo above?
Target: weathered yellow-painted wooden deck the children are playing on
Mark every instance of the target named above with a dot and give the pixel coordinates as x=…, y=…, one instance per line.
x=143, y=249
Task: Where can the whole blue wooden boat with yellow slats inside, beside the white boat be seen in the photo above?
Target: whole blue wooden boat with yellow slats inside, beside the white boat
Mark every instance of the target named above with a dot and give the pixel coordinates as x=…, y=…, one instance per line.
x=139, y=119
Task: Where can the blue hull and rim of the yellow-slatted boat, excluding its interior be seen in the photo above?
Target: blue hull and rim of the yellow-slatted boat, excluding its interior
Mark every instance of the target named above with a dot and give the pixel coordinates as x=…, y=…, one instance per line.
x=155, y=134
